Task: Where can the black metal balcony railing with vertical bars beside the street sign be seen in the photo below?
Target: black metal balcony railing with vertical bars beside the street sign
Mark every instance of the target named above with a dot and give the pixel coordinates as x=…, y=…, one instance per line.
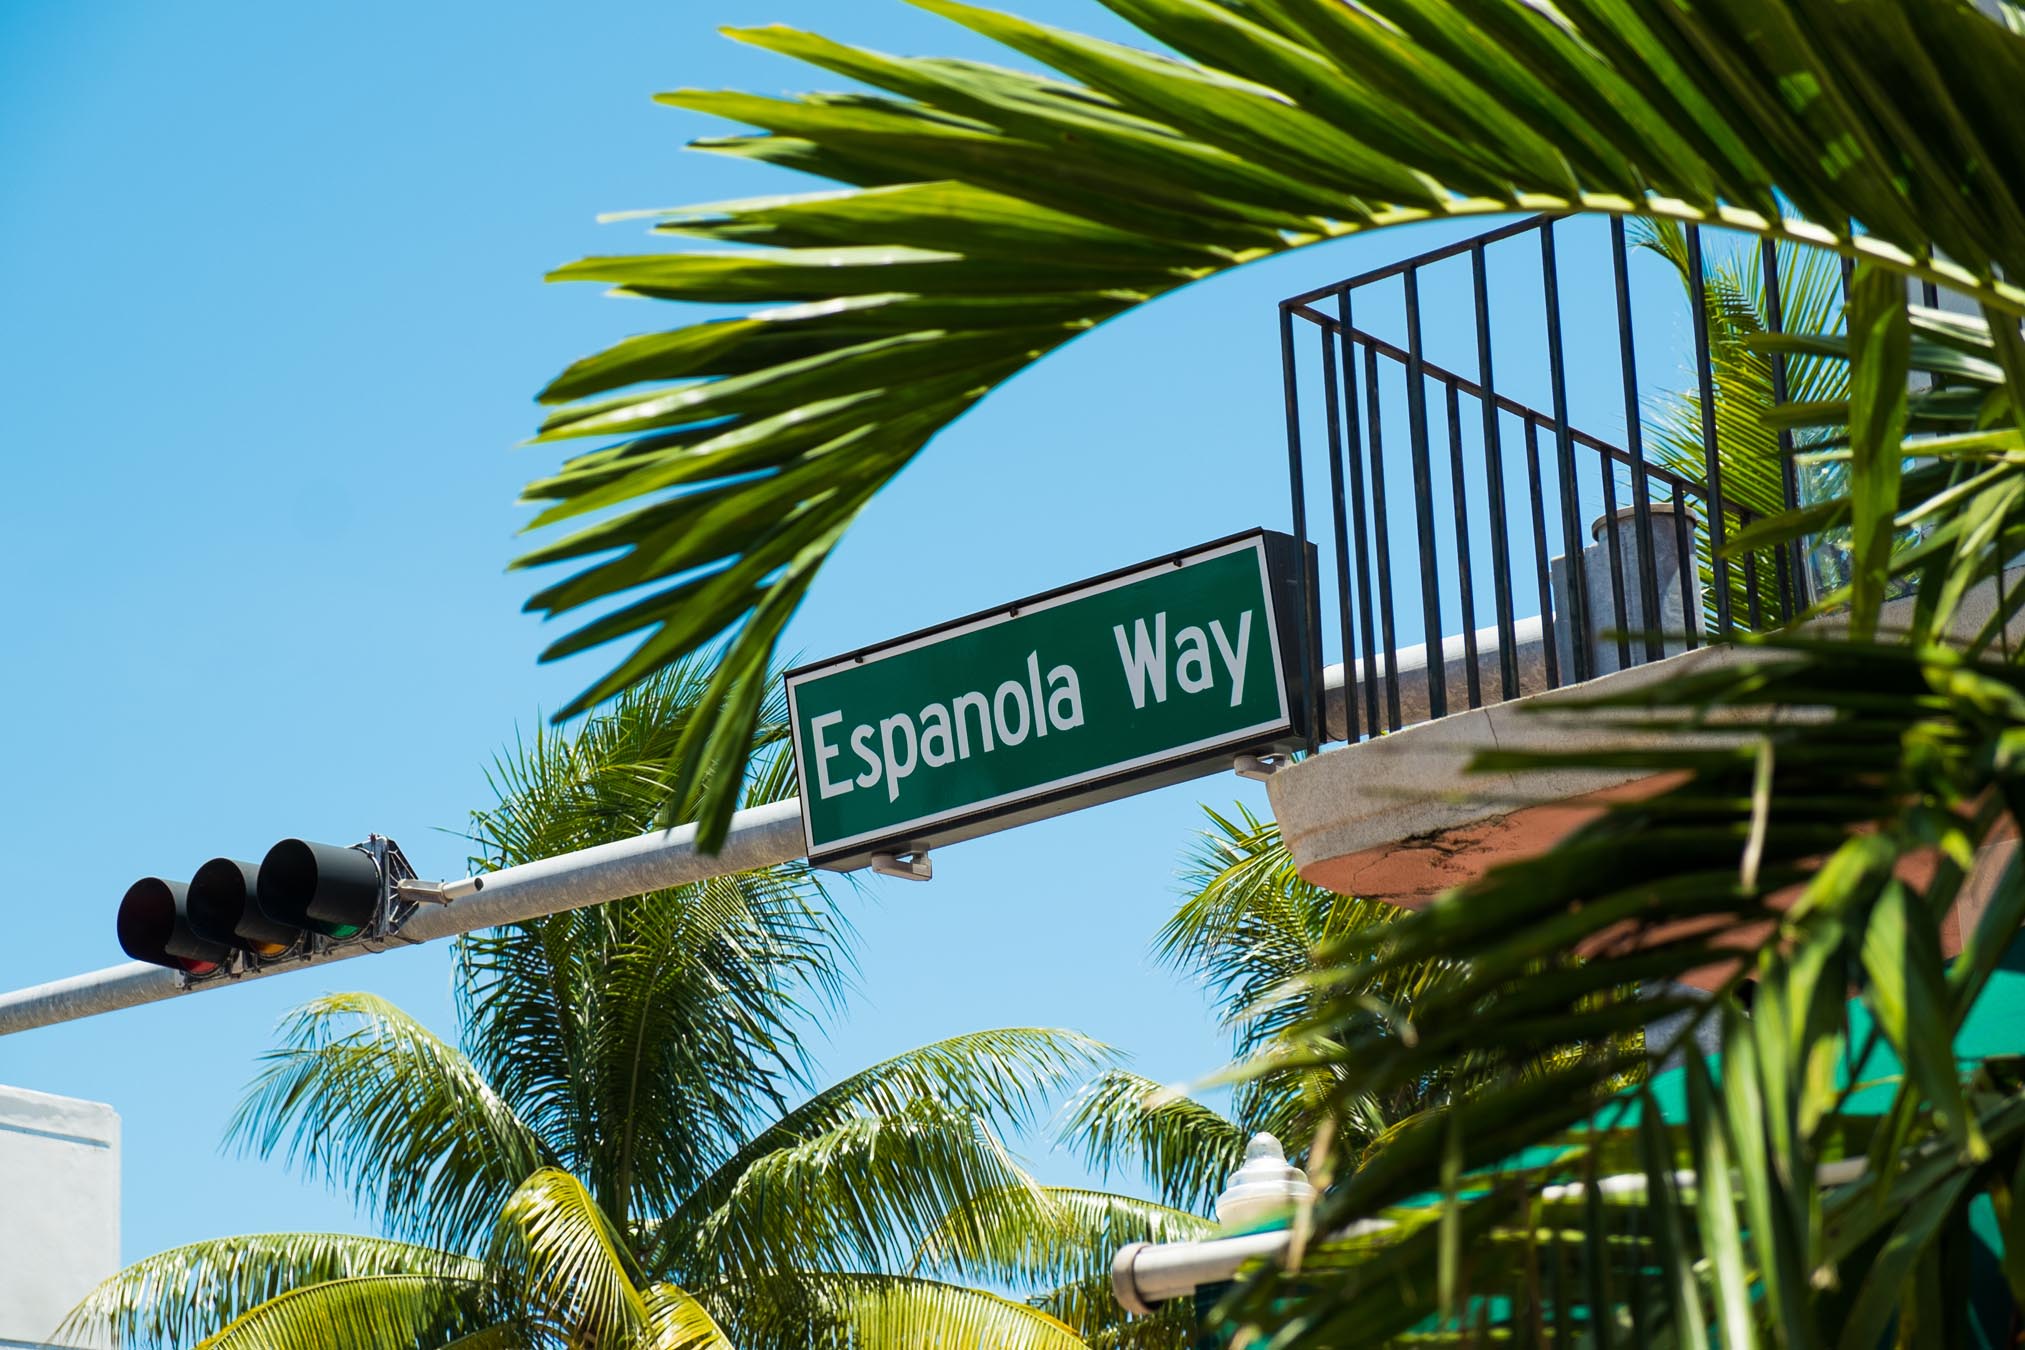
x=1500, y=485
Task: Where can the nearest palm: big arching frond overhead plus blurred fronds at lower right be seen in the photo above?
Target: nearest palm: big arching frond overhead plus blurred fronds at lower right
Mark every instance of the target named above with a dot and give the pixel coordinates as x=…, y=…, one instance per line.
x=985, y=218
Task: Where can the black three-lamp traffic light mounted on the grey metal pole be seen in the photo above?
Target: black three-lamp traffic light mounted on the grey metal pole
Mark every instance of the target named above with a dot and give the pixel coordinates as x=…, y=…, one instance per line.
x=301, y=898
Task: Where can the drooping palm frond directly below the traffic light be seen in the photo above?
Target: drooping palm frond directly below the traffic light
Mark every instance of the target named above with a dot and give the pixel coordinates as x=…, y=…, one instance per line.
x=366, y=1098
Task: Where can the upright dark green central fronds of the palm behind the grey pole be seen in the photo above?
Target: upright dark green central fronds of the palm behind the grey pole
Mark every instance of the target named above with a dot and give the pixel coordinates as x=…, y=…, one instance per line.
x=641, y=1039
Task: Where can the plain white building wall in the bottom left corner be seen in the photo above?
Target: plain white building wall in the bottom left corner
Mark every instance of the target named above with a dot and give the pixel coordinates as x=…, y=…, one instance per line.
x=60, y=1209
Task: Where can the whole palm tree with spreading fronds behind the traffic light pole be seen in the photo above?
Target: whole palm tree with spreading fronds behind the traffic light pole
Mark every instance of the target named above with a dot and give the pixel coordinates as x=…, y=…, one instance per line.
x=613, y=1153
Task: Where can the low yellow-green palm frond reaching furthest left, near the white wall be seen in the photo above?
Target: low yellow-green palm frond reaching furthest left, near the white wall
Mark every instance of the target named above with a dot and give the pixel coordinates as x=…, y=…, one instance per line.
x=179, y=1296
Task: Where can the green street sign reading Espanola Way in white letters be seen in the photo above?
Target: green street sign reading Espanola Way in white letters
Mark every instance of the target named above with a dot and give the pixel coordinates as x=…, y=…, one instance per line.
x=1088, y=693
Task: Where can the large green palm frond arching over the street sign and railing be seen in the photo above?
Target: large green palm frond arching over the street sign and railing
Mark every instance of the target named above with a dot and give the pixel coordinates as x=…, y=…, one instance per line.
x=991, y=216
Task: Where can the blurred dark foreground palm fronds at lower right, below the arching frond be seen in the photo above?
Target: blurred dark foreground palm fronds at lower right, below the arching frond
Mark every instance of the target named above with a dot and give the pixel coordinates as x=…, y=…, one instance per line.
x=1815, y=835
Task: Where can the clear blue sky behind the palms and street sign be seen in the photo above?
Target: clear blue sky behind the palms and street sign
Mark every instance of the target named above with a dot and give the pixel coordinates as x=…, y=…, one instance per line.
x=270, y=335
